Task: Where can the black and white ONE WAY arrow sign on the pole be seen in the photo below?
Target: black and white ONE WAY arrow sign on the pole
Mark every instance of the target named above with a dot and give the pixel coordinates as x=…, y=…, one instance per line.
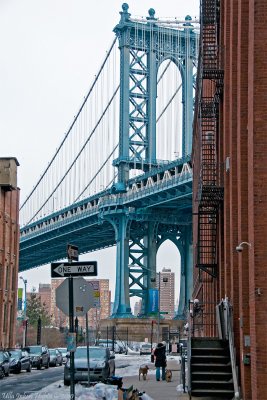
x=63, y=270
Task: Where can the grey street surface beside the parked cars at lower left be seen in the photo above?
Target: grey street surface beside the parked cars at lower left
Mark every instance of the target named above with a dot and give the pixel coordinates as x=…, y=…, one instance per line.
x=19, y=385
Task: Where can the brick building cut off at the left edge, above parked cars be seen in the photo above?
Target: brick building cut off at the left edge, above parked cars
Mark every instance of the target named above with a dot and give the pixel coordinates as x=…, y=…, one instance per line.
x=9, y=250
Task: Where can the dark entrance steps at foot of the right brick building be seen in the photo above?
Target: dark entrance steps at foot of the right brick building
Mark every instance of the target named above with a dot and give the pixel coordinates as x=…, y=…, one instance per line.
x=211, y=371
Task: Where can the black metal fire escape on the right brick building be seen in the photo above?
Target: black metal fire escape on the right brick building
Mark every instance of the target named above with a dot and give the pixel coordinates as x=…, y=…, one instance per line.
x=210, y=194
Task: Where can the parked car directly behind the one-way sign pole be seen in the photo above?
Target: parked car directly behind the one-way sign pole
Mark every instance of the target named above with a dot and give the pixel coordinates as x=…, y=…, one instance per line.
x=102, y=364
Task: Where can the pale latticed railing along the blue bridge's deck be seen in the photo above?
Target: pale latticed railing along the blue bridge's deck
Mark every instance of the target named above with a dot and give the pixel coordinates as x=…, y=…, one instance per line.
x=173, y=175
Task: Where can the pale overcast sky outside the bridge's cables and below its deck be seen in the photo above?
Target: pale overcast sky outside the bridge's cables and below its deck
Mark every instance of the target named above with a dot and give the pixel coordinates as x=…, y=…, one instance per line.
x=50, y=53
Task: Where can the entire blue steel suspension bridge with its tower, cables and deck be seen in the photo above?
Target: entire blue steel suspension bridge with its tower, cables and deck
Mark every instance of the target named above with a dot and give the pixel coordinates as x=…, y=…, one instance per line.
x=122, y=174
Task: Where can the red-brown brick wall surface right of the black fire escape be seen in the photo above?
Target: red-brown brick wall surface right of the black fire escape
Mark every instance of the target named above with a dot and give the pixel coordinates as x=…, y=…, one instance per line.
x=243, y=218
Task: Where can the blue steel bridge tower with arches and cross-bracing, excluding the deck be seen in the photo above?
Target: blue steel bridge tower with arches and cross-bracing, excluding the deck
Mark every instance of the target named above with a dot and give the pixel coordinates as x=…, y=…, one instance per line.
x=143, y=47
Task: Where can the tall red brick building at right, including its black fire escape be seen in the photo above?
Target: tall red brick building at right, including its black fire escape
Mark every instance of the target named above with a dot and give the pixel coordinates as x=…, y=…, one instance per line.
x=230, y=180
